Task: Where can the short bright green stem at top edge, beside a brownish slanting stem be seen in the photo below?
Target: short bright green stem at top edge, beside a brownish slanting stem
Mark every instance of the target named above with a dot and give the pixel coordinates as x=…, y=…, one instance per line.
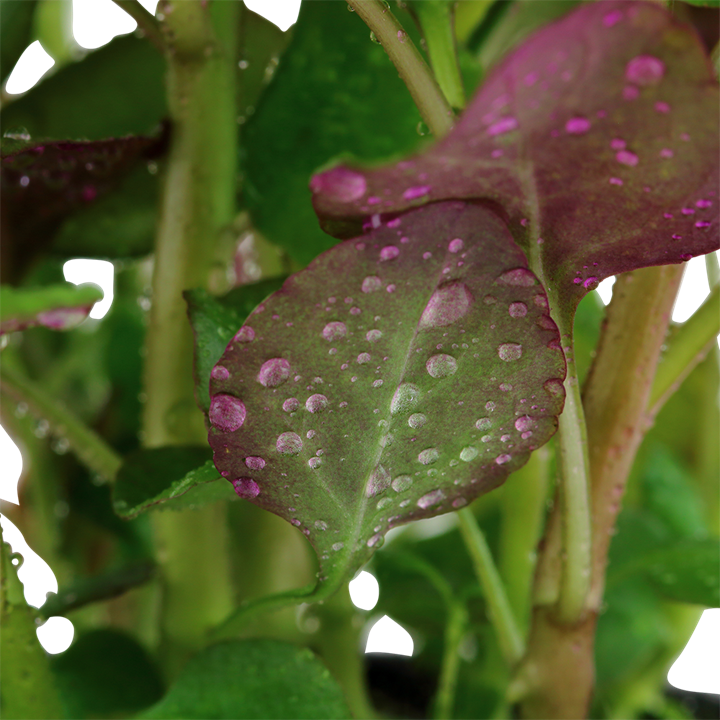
x=436, y=20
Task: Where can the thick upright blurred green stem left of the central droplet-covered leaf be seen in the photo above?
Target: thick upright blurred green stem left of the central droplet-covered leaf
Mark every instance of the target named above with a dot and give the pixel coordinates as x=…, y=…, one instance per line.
x=197, y=205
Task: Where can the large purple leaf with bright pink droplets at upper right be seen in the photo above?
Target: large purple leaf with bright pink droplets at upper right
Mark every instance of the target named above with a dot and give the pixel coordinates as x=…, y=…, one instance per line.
x=597, y=137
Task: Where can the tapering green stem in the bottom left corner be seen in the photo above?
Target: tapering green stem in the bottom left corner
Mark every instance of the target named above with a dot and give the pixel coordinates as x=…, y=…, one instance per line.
x=27, y=687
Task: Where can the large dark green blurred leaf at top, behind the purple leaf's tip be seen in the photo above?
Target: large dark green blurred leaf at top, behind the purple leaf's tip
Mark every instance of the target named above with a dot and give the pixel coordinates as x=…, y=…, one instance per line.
x=310, y=114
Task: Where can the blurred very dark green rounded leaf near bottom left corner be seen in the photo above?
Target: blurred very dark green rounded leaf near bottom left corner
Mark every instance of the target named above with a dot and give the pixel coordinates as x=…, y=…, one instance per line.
x=106, y=671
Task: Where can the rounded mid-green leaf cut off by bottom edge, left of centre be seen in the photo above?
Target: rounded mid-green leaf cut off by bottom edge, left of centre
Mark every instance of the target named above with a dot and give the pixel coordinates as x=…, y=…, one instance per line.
x=264, y=679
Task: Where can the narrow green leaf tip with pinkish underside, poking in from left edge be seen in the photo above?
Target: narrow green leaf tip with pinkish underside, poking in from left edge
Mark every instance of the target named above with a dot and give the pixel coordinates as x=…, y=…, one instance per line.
x=59, y=307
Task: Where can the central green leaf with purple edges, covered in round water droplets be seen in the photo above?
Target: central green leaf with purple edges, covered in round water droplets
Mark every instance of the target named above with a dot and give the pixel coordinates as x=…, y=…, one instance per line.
x=400, y=376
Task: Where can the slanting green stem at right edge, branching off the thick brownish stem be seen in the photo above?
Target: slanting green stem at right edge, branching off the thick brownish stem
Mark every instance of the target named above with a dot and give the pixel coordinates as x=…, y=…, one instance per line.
x=687, y=345
